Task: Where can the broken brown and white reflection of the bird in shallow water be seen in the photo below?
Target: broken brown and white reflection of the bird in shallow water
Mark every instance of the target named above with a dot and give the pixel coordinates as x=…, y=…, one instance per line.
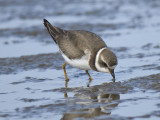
x=104, y=104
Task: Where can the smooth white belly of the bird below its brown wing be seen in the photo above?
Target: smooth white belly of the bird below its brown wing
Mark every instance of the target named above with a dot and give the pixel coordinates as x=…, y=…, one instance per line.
x=82, y=63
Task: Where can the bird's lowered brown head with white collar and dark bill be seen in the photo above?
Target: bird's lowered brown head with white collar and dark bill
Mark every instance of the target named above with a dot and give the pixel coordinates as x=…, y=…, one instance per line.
x=106, y=61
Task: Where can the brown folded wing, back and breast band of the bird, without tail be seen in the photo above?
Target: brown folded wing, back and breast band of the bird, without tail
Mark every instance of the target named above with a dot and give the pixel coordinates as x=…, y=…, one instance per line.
x=76, y=42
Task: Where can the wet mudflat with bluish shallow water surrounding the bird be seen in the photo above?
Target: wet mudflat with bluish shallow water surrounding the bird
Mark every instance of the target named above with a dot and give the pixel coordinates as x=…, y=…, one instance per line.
x=32, y=83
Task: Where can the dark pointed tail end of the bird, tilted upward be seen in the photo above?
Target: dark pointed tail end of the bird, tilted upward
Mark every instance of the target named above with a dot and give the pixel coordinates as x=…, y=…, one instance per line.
x=55, y=32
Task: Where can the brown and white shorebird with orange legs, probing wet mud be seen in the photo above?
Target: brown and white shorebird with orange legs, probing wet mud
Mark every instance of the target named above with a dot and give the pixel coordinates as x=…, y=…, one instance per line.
x=83, y=49
